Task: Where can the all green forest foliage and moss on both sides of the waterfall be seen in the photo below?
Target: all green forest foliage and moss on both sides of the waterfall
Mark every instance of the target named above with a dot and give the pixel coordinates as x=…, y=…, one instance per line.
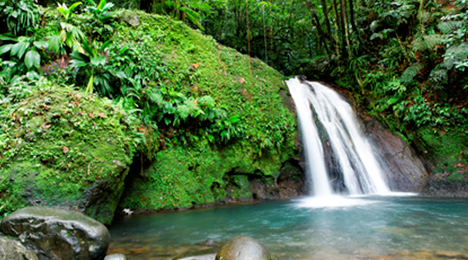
x=203, y=114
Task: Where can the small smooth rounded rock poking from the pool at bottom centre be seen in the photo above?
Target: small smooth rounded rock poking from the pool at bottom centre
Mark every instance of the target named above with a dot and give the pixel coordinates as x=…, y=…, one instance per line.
x=243, y=248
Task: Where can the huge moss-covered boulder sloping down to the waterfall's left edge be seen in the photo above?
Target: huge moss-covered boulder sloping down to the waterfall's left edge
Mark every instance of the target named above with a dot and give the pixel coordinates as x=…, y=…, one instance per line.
x=208, y=168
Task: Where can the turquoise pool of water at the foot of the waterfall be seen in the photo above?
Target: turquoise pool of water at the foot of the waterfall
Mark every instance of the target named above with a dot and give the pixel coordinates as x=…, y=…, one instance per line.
x=361, y=228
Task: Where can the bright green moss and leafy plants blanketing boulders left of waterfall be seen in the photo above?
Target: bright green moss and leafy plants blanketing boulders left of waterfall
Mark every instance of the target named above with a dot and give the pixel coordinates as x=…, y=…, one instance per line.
x=201, y=113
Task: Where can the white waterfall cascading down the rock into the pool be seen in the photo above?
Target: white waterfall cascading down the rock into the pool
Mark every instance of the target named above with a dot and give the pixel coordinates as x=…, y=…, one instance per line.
x=333, y=143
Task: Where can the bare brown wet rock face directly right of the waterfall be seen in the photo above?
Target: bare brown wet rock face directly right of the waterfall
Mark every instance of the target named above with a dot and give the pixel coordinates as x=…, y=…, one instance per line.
x=406, y=170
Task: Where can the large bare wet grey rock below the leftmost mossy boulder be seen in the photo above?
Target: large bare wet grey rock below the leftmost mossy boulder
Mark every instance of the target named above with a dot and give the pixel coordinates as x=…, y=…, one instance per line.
x=56, y=234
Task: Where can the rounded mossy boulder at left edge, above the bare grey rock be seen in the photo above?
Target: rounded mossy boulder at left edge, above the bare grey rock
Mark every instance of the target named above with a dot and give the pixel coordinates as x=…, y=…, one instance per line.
x=63, y=148
